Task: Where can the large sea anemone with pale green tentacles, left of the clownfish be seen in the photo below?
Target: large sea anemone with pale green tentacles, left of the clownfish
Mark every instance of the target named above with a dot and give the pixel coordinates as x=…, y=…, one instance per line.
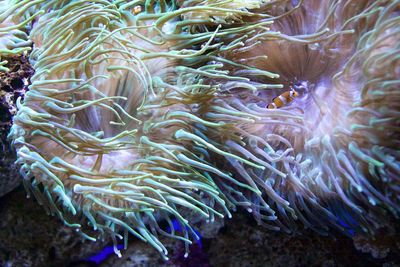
x=95, y=133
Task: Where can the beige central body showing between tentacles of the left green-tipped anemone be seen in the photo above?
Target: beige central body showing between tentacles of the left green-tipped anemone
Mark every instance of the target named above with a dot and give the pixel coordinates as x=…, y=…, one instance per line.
x=128, y=86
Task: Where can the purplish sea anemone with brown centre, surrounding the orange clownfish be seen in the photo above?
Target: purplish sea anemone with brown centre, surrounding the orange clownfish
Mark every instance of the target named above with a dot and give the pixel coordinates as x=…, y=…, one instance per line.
x=330, y=156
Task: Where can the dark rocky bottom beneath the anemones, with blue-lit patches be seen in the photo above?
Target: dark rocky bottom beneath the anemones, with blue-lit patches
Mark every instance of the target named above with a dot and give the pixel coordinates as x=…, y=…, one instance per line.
x=29, y=237
